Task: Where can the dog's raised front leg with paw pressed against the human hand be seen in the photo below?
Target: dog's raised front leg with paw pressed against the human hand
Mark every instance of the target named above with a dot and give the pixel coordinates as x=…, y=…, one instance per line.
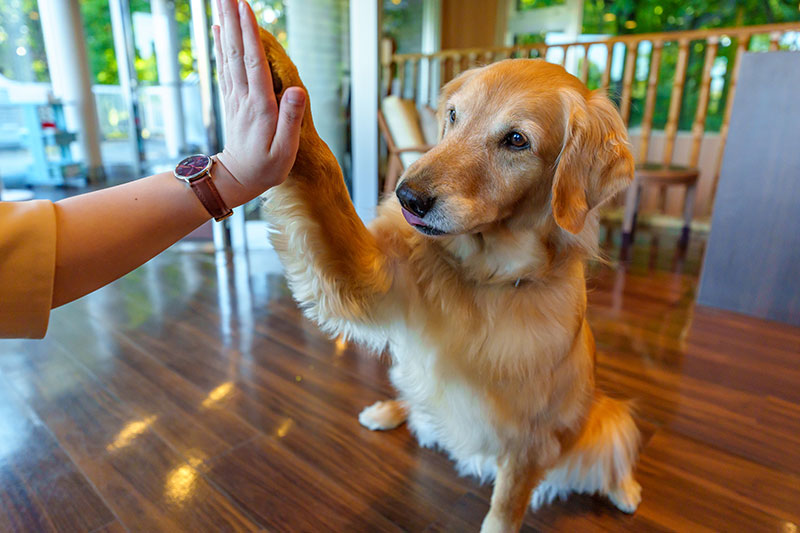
x=337, y=270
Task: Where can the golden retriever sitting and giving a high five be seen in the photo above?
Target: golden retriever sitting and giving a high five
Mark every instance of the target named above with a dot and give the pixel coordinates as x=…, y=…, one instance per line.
x=473, y=276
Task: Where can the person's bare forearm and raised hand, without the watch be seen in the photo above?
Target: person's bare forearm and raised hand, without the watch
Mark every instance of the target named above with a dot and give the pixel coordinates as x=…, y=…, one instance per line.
x=103, y=235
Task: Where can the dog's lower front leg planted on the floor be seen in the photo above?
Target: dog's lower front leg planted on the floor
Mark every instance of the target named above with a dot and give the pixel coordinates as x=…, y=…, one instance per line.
x=517, y=475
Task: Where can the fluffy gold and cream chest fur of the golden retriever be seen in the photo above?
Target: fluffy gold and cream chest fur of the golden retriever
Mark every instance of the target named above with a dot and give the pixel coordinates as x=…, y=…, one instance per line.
x=476, y=364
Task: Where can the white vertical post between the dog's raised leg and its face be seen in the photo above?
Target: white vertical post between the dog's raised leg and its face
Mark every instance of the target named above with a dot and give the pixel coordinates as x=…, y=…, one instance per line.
x=365, y=70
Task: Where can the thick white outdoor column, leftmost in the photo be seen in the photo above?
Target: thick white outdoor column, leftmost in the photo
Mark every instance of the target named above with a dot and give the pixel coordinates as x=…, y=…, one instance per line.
x=65, y=46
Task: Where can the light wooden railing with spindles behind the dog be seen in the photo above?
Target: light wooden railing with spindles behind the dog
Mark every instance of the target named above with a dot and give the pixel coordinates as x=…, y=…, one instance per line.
x=633, y=69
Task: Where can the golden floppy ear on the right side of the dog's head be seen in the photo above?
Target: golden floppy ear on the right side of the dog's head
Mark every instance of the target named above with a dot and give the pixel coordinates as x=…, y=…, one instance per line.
x=595, y=161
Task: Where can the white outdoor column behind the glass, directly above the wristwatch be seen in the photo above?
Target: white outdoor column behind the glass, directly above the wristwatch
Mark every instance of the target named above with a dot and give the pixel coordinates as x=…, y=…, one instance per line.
x=169, y=79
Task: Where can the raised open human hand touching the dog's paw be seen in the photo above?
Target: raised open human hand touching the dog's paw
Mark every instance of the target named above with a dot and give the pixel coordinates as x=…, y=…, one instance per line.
x=261, y=140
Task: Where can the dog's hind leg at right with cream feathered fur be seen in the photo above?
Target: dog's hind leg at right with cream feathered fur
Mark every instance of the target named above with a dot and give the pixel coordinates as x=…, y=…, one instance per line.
x=601, y=459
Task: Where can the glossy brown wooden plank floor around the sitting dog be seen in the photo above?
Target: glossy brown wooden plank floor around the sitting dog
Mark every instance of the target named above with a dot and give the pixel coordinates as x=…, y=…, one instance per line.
x=192, y=396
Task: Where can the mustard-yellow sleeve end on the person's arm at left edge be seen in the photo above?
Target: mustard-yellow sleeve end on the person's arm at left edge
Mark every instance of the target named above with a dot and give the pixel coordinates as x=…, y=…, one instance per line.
x=27, y=267
